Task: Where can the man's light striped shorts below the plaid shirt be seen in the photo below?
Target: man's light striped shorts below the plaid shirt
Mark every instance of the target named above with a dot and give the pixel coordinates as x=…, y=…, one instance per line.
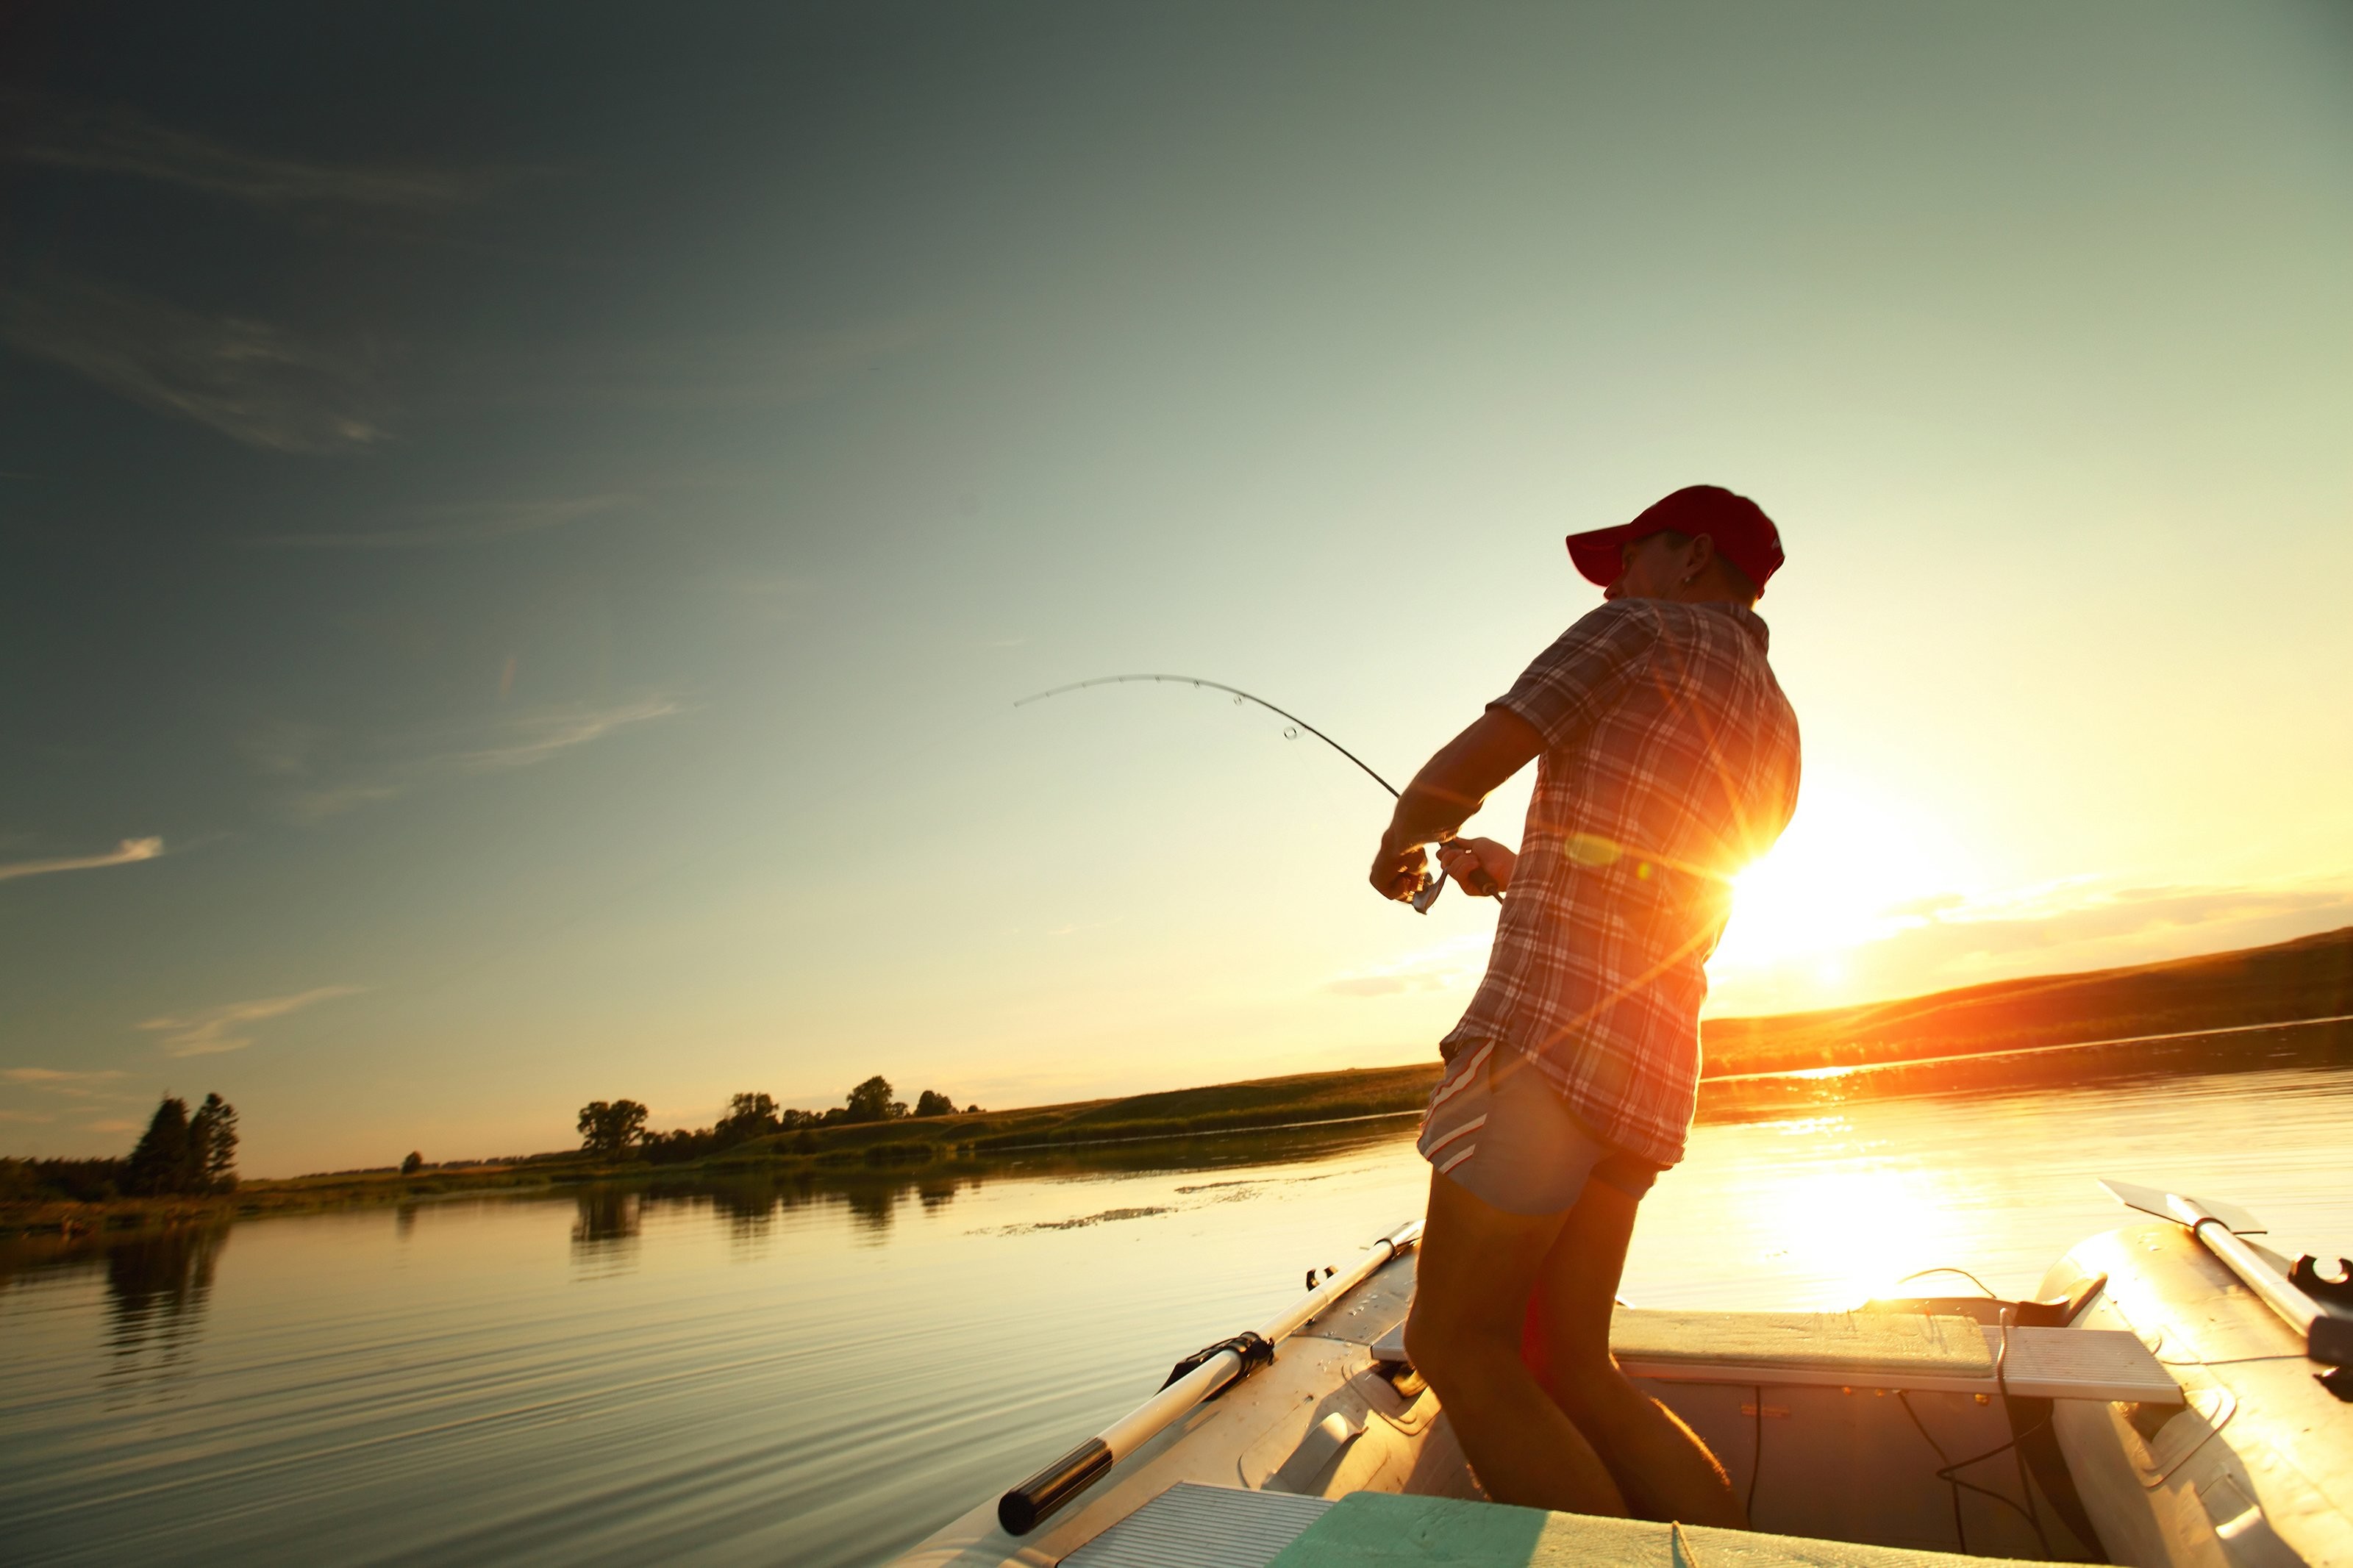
x=1512, y=1141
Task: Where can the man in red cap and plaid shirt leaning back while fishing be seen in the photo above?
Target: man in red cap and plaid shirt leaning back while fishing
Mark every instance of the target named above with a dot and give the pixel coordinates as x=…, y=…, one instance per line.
x=1667, y=763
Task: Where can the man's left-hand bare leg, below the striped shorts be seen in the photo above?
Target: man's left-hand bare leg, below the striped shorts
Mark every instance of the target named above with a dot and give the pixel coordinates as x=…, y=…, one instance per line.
x=1479, y=1268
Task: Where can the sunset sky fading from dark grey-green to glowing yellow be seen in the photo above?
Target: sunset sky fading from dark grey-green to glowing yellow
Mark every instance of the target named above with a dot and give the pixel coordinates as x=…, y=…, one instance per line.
x=524, y=525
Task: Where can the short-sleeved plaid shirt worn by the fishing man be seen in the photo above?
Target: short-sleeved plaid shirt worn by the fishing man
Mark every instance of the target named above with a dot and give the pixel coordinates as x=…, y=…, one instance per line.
x=1669, y=765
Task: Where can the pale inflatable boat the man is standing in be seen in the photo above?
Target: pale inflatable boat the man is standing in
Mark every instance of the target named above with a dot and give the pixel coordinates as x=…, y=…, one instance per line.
x=2175, y=1398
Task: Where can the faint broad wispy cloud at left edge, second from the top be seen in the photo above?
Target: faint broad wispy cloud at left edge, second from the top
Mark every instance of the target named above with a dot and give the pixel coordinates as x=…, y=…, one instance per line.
x=248, y=380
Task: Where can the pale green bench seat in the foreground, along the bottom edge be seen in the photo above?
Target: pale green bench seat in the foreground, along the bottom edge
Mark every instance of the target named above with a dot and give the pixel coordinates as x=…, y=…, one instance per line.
x=1401, y=1532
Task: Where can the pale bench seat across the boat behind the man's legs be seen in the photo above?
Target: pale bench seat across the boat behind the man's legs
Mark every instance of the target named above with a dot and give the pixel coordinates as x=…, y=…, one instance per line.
x=1884, y=1351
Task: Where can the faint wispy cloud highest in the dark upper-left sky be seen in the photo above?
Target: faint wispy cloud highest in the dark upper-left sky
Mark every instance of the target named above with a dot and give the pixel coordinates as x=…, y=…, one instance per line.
x=114, y=140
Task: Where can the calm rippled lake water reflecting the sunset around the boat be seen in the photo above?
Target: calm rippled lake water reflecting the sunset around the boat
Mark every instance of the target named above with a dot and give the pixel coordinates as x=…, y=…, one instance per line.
x=827, y=1374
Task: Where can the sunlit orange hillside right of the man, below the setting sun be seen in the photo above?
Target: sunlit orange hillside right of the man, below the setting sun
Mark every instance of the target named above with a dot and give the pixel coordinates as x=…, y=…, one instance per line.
x=2288, y=981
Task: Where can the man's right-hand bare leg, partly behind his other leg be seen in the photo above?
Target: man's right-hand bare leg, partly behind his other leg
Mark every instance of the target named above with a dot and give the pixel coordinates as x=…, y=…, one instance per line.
x=1660, y=1463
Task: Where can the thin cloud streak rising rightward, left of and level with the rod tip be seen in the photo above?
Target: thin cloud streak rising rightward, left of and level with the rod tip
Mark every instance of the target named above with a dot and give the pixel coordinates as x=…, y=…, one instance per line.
x=338, y=777
